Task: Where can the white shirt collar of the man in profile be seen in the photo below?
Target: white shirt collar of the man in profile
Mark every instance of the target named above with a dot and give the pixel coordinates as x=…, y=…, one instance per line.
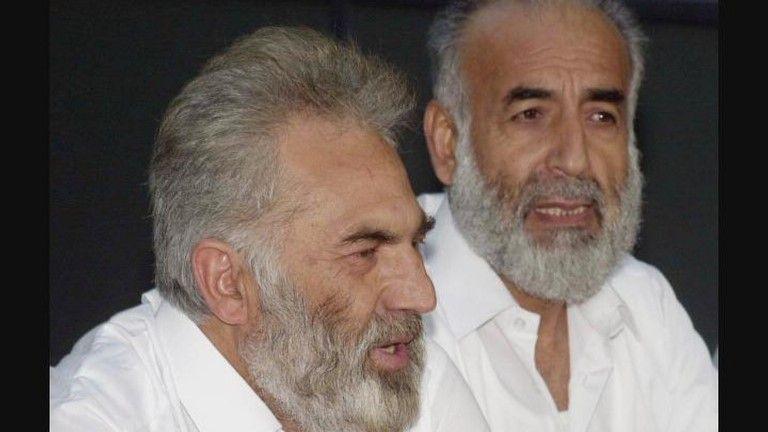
x=213, y=393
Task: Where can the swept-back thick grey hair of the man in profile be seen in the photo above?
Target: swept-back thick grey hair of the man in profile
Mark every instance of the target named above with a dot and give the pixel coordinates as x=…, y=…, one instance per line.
x=214, y=171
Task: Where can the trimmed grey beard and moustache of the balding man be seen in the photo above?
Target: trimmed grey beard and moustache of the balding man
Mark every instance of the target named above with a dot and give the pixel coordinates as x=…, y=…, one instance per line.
x=574, y=265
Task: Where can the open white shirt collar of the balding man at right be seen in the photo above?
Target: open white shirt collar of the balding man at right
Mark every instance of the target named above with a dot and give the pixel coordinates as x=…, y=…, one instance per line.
x=471, y=293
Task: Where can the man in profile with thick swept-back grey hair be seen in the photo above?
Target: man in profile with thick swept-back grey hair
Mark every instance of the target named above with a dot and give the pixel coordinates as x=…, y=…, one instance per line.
x=290, y=286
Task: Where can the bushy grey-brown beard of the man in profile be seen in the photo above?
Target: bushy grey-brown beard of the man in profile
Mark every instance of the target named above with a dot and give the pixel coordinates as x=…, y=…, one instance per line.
x=319, y=374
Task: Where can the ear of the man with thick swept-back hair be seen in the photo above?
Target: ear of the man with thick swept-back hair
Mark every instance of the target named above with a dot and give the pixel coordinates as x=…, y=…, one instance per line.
x=222, y=281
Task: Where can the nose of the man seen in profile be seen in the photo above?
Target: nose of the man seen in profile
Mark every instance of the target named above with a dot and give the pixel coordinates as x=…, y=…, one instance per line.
x=409, y=288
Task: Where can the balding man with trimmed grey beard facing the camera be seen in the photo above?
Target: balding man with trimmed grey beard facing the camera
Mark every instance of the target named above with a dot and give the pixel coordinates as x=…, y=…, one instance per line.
x=552, y=323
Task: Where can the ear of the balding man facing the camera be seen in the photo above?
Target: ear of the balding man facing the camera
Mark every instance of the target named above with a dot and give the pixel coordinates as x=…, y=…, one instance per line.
x=441, y=135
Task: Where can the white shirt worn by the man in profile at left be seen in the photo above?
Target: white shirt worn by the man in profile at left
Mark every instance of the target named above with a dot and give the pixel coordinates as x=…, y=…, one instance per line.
x=150, y=368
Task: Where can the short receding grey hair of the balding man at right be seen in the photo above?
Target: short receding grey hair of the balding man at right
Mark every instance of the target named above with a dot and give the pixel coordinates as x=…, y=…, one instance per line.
x=447, y=31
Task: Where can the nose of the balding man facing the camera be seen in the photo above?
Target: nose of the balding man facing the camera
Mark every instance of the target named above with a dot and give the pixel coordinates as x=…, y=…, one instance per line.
x=569, y=154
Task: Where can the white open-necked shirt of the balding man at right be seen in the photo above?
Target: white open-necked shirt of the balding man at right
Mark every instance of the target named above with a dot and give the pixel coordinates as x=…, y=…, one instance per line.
x=637, y=364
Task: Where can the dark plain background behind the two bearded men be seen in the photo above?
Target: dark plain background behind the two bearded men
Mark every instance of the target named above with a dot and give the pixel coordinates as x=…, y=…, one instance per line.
x=115, y=65
